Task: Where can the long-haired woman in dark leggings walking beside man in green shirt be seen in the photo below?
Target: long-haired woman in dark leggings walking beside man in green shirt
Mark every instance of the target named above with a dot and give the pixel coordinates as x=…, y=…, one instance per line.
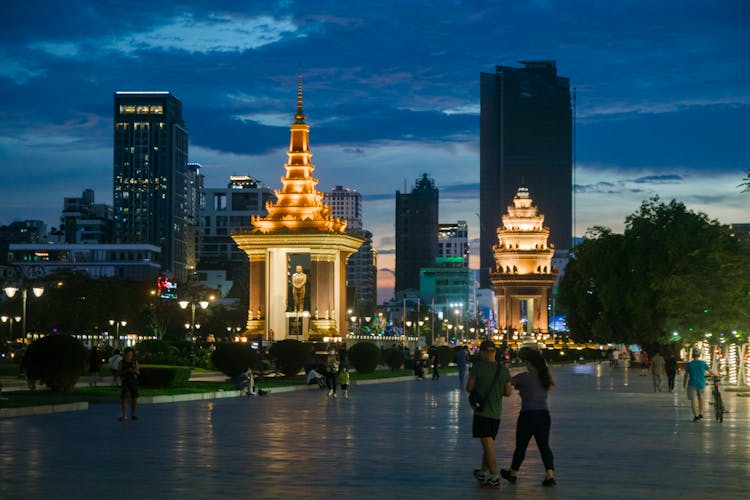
x=534, y=418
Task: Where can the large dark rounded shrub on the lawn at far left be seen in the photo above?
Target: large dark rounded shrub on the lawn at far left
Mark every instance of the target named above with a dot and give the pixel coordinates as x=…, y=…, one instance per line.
x=56, y=361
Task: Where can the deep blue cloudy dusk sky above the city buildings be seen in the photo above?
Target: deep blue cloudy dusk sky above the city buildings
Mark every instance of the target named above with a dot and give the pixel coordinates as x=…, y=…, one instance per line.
x=391, y=92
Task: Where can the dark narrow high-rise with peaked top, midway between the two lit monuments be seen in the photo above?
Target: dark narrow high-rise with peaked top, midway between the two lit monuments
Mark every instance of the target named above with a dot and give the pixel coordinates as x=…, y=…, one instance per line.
x=416, y=232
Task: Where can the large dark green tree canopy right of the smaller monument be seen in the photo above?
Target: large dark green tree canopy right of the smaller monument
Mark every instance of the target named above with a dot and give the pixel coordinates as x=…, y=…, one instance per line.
x=673, y=270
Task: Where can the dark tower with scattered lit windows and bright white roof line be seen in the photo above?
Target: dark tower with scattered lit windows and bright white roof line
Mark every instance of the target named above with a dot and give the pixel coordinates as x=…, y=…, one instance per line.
x=151, y=187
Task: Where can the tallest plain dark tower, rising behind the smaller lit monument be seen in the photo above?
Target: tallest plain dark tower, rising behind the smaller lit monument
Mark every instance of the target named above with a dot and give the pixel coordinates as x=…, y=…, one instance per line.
x=525, y=140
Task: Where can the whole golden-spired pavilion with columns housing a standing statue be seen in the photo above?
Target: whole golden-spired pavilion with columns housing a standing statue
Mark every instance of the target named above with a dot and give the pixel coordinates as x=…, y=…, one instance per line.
x=297, y=234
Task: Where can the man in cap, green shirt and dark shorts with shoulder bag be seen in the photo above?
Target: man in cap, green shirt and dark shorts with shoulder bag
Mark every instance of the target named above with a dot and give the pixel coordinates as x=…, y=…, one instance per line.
x=487, y=420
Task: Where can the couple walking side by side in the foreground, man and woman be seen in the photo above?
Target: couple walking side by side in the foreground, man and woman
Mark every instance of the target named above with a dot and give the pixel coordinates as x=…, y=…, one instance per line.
x=492, y=381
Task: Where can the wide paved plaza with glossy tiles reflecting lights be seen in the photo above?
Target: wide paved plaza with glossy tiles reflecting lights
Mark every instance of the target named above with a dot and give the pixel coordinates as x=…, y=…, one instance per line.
x=611, y=435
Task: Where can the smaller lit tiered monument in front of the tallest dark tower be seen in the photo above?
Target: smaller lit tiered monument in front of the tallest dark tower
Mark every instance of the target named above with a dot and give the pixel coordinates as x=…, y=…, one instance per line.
x=523, y=274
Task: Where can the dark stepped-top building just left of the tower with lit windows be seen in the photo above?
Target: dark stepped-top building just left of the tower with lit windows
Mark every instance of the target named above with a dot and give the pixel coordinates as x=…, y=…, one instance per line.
x=84, y=221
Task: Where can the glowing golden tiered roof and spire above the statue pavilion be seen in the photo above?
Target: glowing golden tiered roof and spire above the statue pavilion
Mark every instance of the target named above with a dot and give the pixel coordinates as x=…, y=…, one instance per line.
x=299, y=206
